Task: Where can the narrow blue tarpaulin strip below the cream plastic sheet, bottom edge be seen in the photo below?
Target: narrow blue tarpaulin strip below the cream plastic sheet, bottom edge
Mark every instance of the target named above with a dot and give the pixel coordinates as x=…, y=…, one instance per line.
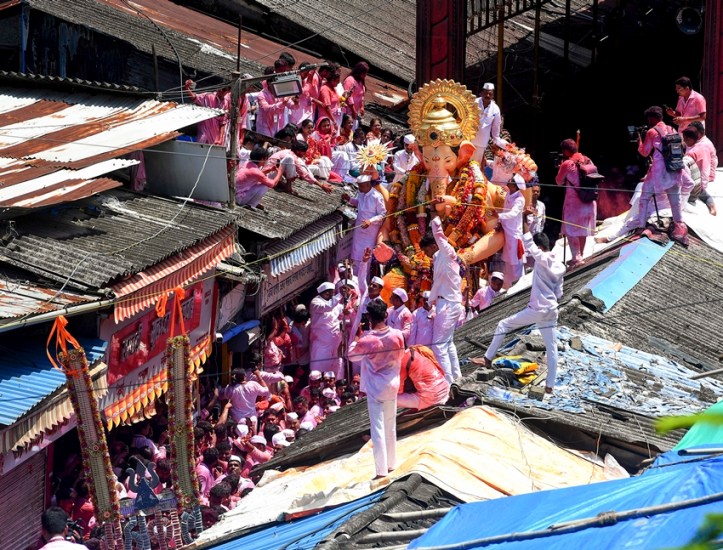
x=303, y=533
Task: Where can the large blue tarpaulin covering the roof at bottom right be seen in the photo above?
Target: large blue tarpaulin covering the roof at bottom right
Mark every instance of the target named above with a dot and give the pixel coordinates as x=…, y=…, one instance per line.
x=537, y=512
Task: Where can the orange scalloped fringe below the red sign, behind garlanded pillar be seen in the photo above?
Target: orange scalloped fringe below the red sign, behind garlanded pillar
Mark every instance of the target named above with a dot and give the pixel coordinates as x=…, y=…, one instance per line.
x=140, y=403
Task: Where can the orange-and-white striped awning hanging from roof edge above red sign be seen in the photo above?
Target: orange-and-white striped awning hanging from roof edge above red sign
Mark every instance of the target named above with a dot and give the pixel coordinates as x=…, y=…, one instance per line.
x=143, y=289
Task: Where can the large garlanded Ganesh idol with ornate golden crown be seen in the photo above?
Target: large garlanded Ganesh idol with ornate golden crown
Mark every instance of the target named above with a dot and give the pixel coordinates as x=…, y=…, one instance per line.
x=444, y=117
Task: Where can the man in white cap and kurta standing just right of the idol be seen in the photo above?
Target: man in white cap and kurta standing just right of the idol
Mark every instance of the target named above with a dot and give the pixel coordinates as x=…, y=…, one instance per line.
x=511, y=220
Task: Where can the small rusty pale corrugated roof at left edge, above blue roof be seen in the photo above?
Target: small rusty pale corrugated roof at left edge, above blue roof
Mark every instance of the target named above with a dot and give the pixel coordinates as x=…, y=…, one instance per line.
x=19, y=298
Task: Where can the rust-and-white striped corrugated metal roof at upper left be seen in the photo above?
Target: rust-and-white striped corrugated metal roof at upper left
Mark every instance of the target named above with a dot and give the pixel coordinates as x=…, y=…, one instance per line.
x=54, y=143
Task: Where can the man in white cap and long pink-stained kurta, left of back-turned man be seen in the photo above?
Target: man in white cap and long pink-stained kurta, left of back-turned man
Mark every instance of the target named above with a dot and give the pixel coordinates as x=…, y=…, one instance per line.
x=325, y=310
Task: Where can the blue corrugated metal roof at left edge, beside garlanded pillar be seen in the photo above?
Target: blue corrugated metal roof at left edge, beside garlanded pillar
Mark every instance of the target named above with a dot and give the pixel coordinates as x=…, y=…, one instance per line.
x=27, y=377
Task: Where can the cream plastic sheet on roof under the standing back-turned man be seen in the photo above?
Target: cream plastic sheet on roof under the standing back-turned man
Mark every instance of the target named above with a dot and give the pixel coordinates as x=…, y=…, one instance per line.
x=480, y=453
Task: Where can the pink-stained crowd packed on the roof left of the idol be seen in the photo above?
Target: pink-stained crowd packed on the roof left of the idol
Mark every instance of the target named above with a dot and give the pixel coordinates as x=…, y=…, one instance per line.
x=311, y=137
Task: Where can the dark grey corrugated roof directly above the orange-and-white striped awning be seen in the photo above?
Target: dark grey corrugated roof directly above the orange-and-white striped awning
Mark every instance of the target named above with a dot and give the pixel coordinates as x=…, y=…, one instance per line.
x=102, y=238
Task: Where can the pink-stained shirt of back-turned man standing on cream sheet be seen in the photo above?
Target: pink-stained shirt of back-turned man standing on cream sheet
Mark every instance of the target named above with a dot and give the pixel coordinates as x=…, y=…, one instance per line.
x=380, y=354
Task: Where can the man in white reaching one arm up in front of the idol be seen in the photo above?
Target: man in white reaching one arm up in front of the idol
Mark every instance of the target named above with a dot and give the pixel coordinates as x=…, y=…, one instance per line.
x=446, y=295
